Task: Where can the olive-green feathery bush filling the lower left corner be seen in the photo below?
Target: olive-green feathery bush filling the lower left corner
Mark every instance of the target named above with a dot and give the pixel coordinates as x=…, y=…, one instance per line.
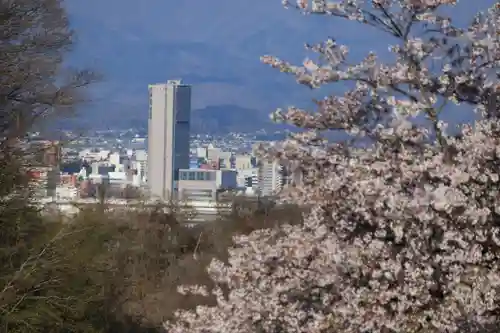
x=64, y=279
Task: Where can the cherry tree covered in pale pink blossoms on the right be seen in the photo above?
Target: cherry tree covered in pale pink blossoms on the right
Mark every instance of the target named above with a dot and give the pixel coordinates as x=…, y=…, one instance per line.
x=404, y=230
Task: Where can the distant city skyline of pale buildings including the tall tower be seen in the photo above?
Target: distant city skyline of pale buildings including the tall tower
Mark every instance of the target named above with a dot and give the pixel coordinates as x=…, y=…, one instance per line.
x=168, y=165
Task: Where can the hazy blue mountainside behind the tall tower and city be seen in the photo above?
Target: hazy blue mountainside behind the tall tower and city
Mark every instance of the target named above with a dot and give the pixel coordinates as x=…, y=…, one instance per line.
x=214, y=45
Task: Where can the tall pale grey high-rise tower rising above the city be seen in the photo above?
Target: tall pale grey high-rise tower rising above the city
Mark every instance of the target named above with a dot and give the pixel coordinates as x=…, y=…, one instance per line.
x=168, y=136
